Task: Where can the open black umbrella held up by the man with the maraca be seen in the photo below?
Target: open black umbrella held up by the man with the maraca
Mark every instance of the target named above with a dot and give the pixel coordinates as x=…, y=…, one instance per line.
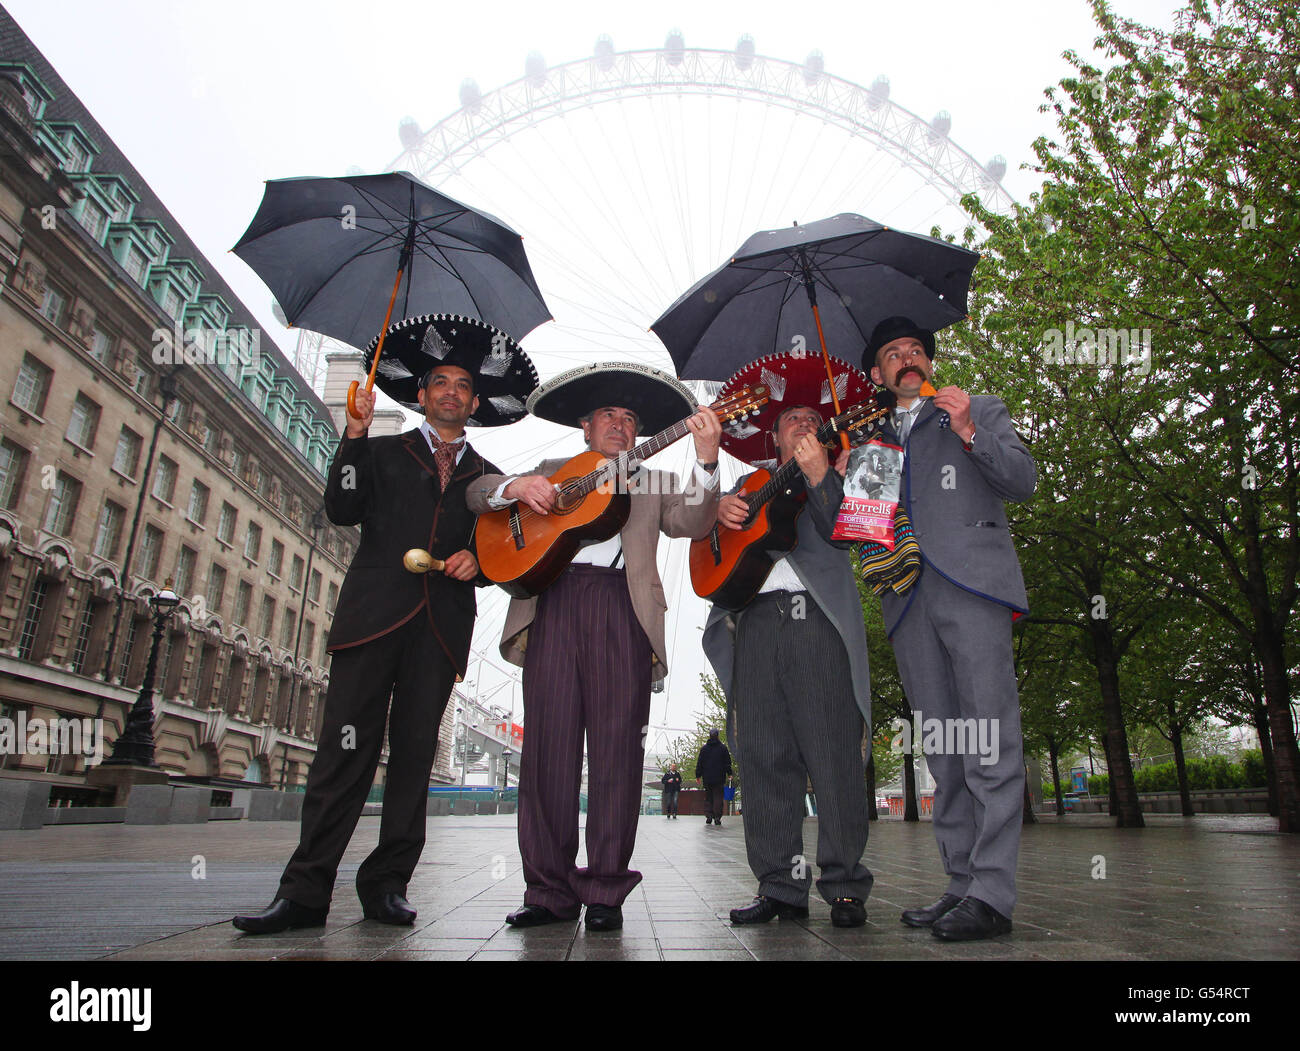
x=335, y=253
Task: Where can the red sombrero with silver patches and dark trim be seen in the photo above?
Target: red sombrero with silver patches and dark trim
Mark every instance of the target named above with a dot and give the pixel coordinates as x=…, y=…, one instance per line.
x=792, y=379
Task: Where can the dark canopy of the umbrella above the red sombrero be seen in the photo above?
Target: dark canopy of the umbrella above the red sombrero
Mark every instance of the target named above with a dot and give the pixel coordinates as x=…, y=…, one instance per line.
x=855, y=270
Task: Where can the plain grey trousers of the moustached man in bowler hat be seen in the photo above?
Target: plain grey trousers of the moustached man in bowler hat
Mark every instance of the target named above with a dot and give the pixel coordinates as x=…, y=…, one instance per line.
x=957, y=667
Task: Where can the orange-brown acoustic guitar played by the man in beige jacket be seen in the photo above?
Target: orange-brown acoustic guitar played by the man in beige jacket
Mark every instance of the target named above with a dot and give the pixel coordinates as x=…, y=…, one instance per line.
x=525, y=552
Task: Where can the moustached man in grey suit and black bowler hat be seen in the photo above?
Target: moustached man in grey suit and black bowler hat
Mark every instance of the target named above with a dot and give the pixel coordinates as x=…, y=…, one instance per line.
x=952, y=630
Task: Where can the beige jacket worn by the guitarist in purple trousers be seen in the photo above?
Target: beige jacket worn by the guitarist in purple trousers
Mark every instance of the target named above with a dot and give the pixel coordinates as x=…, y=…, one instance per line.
x=657, y=505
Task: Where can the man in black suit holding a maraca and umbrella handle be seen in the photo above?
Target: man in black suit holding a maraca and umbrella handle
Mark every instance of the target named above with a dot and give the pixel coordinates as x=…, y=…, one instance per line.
x=396, y=635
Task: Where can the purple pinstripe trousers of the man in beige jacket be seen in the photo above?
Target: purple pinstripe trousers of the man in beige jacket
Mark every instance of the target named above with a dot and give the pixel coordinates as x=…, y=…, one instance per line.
x=587, y=669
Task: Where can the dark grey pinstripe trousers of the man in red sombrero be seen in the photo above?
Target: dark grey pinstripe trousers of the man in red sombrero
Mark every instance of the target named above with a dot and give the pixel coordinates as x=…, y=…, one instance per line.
x=798, y=720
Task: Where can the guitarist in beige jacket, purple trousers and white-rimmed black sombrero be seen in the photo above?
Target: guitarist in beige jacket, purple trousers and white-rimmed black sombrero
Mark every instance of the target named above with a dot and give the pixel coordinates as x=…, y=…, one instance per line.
x=593, y=643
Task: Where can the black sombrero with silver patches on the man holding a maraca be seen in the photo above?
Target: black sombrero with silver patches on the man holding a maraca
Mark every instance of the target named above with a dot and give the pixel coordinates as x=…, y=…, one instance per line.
x=504, y=375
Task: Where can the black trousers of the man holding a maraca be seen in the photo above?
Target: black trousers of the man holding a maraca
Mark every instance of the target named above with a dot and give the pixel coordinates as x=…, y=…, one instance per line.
x=410, y=667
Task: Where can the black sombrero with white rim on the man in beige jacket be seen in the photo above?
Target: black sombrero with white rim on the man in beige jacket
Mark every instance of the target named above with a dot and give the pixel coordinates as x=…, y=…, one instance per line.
x=658, y=399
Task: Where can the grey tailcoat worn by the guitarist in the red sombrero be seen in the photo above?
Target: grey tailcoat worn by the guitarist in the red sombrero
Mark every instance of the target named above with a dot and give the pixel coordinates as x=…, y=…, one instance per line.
x=827, y=573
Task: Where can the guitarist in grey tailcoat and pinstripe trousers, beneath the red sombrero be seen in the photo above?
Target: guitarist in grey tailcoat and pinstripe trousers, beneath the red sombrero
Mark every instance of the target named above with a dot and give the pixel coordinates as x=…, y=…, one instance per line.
x=794, y=665
